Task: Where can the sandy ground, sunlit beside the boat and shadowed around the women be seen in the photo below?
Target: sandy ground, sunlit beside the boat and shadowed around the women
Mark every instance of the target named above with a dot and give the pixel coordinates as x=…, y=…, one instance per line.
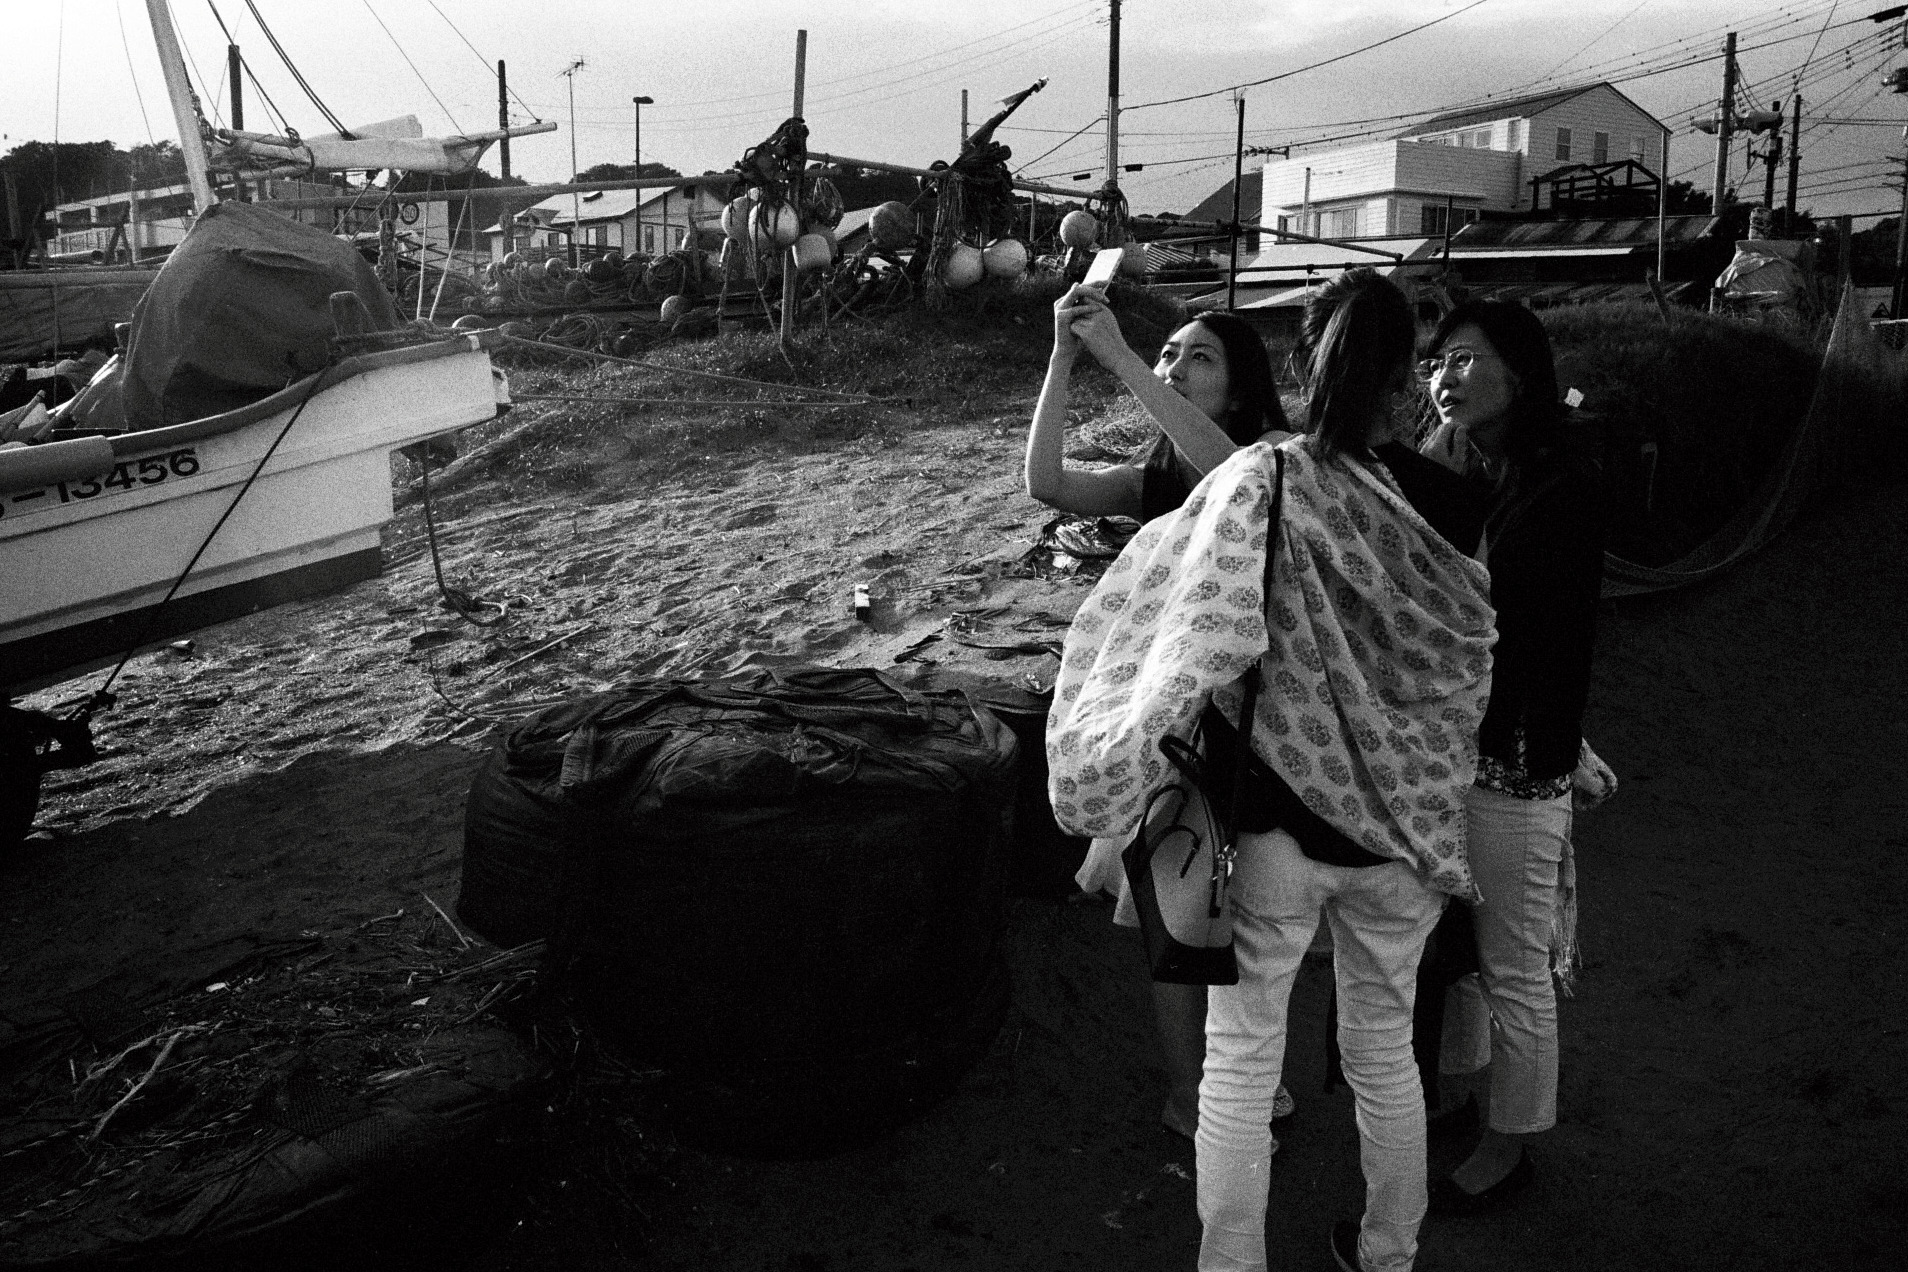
x=1733, y=1059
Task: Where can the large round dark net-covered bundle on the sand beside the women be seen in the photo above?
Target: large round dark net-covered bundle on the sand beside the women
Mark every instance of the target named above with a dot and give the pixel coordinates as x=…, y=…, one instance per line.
x=783, y=890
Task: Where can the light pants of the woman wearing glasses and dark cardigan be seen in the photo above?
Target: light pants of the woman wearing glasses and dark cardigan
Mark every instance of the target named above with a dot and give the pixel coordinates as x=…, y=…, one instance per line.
x=1506, y=1017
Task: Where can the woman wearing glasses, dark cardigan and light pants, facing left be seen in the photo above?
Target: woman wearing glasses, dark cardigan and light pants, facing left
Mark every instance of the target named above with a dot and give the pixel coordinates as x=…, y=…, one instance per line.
x=1495, y=386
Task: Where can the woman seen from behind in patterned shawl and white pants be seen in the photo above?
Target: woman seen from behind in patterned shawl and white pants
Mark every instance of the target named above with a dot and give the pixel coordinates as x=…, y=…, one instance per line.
x=1373, y=636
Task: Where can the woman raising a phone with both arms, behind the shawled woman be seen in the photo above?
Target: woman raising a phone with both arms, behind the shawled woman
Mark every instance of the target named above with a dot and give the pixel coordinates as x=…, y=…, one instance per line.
x=1211, y=392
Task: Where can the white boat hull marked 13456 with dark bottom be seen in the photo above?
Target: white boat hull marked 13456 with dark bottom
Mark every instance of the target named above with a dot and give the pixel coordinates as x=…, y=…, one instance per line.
x=94, y=531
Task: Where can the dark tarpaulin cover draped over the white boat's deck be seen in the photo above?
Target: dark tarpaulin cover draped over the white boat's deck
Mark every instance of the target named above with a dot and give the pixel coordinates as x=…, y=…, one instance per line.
x=239, y=312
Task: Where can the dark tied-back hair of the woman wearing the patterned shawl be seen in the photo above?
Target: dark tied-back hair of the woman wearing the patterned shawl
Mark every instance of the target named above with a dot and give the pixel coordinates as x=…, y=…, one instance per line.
x=1358, y=339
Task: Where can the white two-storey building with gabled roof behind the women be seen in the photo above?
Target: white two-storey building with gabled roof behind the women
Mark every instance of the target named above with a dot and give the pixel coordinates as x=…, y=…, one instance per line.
x=1468, y=163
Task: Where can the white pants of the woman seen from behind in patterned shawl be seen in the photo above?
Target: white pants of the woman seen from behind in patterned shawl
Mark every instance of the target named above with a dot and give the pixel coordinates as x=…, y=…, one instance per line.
x=1380, y=918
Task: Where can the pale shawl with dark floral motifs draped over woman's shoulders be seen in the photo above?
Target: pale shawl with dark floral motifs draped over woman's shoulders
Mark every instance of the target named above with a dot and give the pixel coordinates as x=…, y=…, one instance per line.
x=1377, y=661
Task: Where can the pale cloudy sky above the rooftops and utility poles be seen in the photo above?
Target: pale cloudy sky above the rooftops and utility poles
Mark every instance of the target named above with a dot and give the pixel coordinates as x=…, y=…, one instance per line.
x=884, y=77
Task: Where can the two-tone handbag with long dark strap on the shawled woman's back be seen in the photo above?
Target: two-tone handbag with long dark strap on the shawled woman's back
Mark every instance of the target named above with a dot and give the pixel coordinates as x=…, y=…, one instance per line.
x=1180, y=861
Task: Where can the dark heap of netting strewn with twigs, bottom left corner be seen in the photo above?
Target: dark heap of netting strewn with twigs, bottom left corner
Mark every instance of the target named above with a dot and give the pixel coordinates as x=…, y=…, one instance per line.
x=262, y=1103
